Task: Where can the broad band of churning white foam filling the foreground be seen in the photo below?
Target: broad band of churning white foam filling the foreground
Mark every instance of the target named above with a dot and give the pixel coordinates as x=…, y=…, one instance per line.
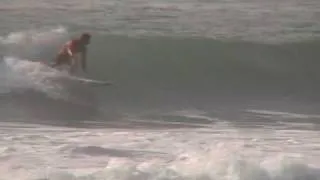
x=204, y=158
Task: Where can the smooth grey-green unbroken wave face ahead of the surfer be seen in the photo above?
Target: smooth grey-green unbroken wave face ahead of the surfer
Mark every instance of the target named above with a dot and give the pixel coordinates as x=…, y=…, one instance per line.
x=206, y=65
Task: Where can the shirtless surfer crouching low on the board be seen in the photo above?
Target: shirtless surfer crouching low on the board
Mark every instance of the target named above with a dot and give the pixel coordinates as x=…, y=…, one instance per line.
x=70, y=50
